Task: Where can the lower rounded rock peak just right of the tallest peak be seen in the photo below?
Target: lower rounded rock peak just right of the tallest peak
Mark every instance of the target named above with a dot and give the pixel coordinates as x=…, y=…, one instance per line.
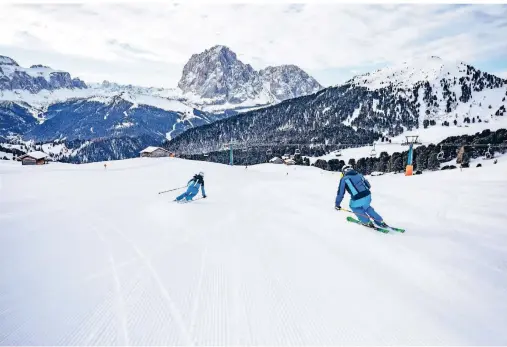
x=289, y=81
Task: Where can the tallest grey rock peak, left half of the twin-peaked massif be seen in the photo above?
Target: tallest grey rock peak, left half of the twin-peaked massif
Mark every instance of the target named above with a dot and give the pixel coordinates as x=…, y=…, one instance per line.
x=217, y=73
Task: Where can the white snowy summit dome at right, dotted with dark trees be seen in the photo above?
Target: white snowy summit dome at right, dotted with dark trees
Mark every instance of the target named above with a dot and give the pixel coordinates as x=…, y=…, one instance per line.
x=435, y=91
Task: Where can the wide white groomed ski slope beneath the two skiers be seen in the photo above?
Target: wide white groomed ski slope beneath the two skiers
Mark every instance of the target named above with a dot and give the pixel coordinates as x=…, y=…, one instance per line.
x=94, y=256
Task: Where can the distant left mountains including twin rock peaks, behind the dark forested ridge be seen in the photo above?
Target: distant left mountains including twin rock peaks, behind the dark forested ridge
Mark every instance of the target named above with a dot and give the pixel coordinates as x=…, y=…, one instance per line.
x=42, y=105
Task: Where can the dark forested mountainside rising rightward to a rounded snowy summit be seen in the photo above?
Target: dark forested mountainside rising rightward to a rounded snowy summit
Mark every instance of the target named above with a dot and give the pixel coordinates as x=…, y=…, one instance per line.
x=425, y=93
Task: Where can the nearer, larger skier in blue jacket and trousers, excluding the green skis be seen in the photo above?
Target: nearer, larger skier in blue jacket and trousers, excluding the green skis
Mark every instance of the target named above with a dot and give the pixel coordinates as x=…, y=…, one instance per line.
x=360, y=196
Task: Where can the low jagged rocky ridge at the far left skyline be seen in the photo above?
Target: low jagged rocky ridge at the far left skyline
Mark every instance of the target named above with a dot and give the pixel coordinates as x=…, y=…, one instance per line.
x=35, y=78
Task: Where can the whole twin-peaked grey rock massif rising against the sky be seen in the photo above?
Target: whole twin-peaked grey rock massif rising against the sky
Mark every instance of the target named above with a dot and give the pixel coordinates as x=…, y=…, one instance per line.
x=218, y=74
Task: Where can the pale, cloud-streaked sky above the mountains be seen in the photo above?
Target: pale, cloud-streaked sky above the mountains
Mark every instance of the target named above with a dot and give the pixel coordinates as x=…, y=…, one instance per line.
x=149, y=45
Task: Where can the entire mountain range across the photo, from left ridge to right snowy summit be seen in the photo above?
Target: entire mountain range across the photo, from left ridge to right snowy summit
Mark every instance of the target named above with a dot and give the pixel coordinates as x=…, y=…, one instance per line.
x=220, y=98
